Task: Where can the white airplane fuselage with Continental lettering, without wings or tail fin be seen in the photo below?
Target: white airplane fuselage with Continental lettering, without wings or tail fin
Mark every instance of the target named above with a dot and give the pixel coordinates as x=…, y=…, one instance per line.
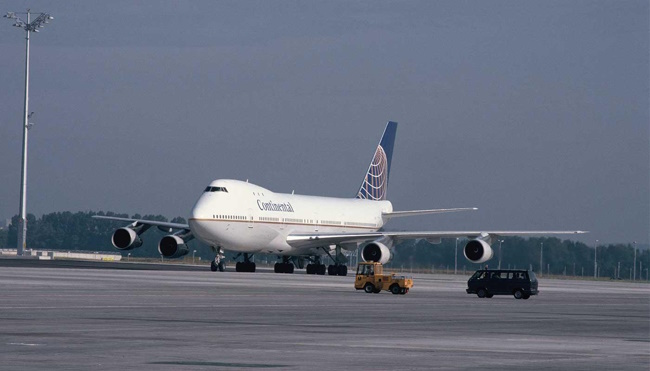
x=243, y=217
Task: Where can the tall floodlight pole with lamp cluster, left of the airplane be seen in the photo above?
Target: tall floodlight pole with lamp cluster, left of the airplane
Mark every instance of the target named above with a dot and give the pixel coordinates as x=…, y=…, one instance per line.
x=29, y=26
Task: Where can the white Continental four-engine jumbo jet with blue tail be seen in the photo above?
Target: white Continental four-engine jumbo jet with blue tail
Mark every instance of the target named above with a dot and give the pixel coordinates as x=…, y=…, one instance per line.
x=247, y=219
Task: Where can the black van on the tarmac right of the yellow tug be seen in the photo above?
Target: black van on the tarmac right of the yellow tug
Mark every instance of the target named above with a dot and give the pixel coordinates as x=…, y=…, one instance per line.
x=488, y=282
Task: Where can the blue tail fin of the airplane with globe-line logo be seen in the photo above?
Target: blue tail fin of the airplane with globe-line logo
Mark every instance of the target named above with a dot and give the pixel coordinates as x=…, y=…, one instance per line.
x=375, y=183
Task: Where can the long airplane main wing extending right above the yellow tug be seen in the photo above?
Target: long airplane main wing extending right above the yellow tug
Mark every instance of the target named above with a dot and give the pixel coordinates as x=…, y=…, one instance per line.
x=324, y=239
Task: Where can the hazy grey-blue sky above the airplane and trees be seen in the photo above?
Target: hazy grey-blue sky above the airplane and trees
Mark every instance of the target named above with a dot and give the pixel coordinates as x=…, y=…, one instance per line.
x=535, y=112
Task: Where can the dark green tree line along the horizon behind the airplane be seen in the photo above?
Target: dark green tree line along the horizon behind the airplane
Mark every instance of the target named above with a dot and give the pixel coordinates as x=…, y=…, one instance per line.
x=79, y=231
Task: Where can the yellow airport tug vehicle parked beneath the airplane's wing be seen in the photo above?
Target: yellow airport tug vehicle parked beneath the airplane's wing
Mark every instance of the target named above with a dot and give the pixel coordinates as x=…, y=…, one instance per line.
x=371, y=279
